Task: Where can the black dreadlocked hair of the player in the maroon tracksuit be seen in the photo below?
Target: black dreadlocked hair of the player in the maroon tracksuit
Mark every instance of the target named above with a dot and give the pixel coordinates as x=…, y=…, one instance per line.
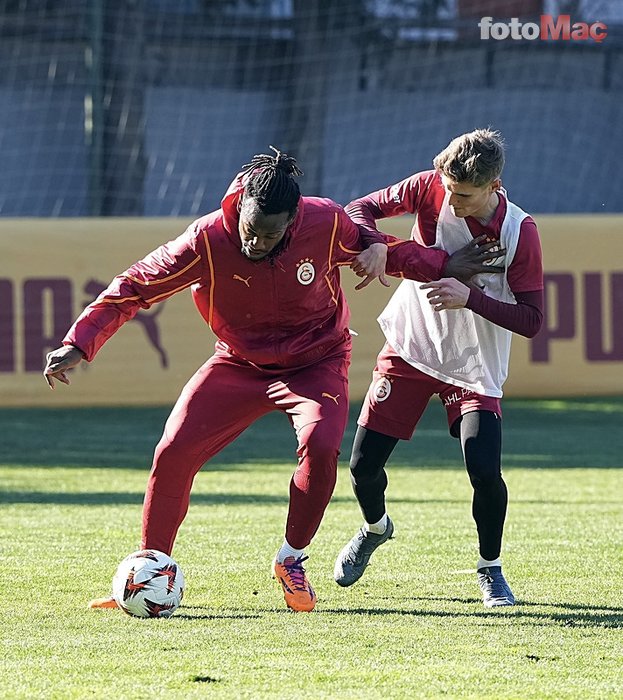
x=270, y=182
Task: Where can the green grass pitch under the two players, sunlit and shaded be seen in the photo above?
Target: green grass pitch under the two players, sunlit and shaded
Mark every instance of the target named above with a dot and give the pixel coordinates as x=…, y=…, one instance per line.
x=72, y=483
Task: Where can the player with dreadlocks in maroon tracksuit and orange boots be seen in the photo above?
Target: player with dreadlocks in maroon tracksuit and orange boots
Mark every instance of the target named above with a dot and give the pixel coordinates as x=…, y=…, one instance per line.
x=264, y=273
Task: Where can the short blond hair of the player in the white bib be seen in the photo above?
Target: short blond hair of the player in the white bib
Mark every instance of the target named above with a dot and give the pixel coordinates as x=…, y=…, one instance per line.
x=476, y=158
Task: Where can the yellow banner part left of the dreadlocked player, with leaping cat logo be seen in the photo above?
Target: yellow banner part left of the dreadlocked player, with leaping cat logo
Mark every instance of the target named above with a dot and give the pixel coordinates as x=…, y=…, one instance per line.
x=51, y=269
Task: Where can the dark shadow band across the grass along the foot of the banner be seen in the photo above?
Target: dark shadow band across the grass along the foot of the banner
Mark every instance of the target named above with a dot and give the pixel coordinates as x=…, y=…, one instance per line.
x=556, y=433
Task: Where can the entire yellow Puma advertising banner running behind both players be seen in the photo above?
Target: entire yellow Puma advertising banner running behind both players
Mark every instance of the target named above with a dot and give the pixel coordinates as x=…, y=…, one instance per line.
x=50, y=270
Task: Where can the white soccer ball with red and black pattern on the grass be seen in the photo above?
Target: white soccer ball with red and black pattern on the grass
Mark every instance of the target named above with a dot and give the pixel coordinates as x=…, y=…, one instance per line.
x=148, y=583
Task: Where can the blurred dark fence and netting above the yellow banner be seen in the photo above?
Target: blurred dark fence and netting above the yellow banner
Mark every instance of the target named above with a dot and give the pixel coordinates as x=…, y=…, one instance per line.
x=148, y=107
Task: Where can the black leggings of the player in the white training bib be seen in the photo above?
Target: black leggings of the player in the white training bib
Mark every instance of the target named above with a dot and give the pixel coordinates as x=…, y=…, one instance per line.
x=480, y=433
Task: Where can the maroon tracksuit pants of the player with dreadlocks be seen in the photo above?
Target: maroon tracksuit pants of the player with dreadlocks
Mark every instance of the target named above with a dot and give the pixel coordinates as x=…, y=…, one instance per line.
x=223, y=398
